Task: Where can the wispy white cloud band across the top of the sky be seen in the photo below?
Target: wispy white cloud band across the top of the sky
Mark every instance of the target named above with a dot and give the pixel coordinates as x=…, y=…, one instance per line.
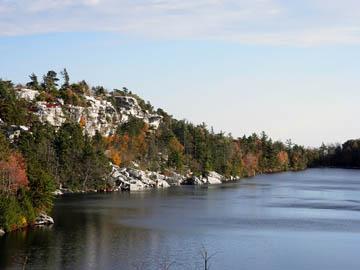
x=271, y=22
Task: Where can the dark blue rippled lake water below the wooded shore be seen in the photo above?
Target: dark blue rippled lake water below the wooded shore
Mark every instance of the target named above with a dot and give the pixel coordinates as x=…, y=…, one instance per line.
x=293, y=220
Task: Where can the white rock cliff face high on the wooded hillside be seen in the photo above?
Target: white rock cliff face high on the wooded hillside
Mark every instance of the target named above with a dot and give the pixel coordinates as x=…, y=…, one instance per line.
x=99, y=115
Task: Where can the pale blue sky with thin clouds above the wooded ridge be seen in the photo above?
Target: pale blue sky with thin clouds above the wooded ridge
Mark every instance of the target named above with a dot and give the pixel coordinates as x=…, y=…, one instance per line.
x=289, y=68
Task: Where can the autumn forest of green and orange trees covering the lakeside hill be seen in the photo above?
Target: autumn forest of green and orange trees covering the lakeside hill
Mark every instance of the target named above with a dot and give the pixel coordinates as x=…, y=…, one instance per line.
x=44, y=158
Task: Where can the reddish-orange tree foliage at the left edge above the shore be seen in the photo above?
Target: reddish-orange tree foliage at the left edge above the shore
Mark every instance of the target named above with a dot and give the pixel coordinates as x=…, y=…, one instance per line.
x=13, y=173
